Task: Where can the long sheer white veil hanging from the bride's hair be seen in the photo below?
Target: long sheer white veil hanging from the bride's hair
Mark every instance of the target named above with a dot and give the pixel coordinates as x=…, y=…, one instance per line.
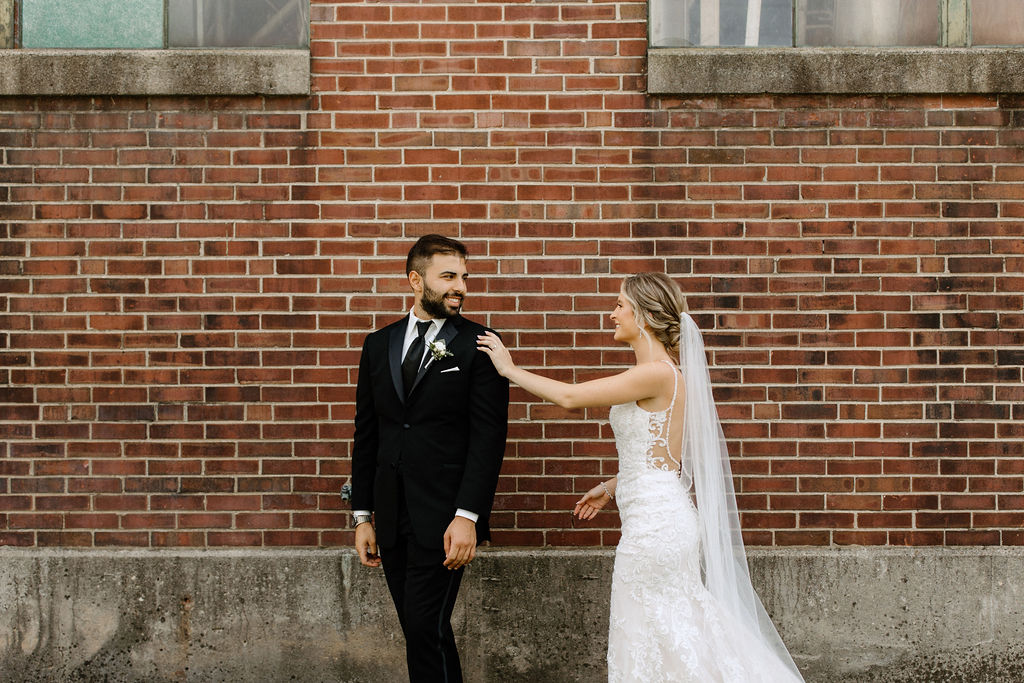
x=724, y=561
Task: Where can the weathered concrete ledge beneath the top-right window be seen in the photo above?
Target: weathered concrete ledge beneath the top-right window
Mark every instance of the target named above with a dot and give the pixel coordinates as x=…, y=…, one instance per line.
x=868, y=71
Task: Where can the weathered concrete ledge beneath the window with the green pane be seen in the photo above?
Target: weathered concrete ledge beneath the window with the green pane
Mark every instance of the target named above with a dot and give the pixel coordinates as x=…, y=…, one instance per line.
x=185, y=72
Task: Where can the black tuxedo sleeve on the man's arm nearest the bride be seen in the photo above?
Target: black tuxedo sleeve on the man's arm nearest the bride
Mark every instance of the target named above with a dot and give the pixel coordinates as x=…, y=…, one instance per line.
x=489, y=412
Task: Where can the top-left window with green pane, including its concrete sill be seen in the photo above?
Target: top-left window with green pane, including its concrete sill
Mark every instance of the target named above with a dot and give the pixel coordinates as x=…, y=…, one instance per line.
x=154, y=48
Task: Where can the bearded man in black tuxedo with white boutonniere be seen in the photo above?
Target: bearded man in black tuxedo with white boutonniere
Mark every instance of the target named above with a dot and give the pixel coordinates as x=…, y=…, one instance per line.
x=432, y=416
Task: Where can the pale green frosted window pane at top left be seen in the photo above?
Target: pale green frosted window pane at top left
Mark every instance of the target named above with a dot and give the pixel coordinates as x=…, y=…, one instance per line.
x=89, y=24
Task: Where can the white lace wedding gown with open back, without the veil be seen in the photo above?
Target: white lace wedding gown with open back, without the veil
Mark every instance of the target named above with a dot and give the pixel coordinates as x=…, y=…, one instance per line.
x=665, y=625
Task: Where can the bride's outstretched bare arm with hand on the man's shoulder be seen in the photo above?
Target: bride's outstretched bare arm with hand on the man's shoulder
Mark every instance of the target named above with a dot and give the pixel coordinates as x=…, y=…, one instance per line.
x=637, y=383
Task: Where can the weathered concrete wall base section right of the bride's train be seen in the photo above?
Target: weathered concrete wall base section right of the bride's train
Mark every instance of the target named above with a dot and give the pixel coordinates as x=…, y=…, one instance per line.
x=899, y=615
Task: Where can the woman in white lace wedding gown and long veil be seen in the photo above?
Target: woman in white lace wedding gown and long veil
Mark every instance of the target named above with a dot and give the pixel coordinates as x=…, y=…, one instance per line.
x=682, y=605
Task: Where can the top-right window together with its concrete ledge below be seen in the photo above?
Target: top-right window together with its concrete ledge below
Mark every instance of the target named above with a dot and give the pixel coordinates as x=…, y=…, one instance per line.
x=844, y=47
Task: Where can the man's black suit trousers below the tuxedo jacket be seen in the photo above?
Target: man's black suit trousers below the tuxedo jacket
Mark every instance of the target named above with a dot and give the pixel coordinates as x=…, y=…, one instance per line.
x=424, y=592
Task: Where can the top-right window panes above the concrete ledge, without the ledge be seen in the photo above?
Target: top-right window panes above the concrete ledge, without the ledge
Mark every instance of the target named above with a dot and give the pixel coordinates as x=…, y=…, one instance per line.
x=836, y=23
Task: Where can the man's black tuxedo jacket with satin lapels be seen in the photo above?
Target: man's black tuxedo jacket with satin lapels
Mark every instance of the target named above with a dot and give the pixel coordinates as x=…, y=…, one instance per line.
x=446, y=441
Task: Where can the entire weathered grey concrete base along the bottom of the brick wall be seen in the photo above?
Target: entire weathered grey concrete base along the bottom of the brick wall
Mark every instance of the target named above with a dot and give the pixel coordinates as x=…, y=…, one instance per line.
x=881, y=616
